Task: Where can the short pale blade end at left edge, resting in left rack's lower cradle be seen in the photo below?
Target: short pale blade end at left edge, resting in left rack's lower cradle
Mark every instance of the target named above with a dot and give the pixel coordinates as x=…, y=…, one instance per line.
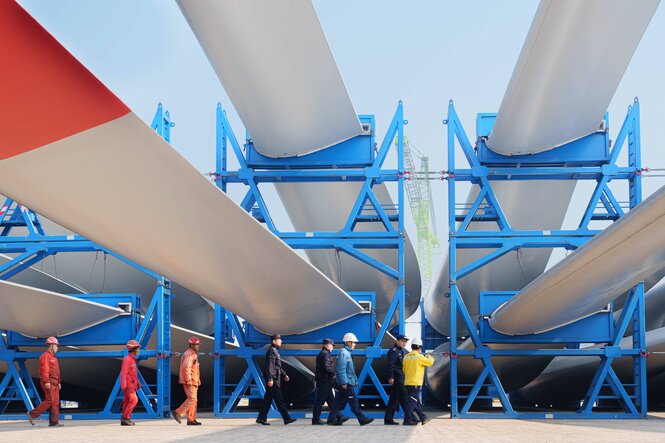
x=38, y=313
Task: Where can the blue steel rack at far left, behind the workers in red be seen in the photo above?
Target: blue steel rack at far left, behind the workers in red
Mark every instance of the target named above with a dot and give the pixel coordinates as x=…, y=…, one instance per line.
x=17, y=385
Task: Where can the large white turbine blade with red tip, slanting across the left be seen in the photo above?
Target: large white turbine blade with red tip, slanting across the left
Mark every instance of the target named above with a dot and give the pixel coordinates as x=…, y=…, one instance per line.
x=94, y=167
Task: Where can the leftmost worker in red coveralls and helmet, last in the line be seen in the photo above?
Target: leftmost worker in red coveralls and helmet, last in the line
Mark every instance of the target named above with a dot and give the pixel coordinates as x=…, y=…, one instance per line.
x=49, y=379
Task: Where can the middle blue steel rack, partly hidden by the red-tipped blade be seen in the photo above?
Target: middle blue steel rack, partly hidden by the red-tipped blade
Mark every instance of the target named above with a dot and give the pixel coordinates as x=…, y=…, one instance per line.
x=358, y=160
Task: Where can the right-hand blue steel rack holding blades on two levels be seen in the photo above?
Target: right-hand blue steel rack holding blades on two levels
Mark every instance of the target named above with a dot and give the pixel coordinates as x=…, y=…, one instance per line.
x=590, y=158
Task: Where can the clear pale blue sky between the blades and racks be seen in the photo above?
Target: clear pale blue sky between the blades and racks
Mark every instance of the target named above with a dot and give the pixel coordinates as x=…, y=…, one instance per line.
x=424, y=53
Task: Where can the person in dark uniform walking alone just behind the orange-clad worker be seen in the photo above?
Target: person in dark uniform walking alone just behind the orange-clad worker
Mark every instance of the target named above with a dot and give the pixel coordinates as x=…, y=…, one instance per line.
x=274, y=375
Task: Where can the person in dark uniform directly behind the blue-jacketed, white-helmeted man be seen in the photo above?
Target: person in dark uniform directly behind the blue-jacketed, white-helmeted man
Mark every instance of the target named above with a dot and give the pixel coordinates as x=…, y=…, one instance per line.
x=325, y=378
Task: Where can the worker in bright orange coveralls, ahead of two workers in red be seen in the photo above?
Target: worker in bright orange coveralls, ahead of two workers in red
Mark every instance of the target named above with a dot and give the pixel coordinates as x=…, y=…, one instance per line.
x=190, y=379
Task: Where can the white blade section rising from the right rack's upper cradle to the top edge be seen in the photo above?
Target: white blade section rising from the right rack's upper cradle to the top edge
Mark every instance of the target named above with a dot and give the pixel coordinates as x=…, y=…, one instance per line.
x=571, y=64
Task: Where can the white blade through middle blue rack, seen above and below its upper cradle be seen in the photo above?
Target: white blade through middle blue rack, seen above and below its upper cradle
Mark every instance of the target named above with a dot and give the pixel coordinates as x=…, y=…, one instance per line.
x=288, y=112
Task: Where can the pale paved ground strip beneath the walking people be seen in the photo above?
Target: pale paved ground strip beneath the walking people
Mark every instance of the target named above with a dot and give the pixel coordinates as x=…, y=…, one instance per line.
x=440, y=429
